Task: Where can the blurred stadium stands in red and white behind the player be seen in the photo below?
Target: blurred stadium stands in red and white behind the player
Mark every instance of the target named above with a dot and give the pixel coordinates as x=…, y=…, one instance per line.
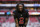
x=8, y=6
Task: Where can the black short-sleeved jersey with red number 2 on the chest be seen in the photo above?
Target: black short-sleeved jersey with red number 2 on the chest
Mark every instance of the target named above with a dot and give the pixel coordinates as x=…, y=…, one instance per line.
x=21, y=16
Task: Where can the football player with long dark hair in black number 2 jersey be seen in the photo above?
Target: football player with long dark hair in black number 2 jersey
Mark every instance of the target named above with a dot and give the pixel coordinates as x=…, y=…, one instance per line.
x=21, y=15
